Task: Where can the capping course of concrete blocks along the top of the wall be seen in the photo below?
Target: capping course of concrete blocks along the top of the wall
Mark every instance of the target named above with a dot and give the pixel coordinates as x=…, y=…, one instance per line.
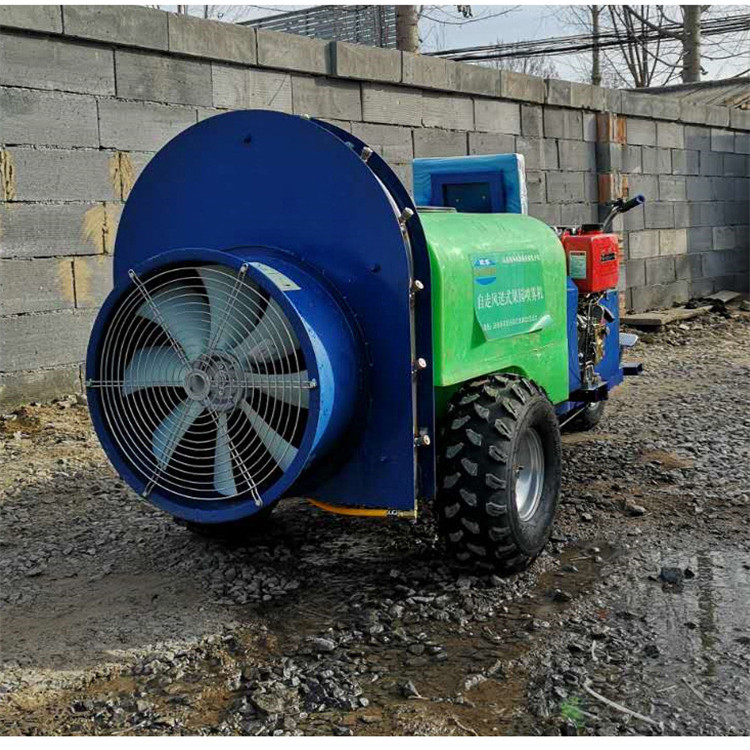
x=370, y=65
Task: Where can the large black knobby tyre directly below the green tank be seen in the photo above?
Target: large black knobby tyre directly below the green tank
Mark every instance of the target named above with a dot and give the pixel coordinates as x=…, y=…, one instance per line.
x=484, y=432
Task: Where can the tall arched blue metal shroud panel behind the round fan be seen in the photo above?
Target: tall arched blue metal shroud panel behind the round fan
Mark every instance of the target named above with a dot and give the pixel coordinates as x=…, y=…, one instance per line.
x=260, y=179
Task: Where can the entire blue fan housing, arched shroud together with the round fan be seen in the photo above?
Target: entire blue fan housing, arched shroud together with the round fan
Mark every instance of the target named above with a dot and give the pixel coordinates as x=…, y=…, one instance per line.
x=263, y=315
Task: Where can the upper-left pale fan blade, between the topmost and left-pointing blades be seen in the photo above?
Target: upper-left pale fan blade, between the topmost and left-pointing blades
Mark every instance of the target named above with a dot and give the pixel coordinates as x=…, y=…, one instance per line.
x=185, y=316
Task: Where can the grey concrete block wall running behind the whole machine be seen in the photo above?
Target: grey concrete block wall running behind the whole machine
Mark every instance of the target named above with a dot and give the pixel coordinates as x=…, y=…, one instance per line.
x=89, y=93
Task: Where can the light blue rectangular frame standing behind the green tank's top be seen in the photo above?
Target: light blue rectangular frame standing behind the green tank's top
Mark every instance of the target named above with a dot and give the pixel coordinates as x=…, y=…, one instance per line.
x=504, y=174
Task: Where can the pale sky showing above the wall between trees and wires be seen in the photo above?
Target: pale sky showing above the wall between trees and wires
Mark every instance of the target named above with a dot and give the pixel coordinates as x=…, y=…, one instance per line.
x=523, y=23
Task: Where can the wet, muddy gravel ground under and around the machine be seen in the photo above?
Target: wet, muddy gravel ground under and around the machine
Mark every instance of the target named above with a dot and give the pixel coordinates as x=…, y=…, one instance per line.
x=114, y=620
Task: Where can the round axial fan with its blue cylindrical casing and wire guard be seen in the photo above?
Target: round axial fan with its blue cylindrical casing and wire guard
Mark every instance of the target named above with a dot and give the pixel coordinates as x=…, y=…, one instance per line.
x=210, y=384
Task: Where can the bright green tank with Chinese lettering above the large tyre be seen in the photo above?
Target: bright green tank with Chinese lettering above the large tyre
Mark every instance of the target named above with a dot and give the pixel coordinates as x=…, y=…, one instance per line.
x=498, y=299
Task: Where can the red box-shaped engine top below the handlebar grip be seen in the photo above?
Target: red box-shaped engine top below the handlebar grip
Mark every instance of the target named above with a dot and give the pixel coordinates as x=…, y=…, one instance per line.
x=593, y=259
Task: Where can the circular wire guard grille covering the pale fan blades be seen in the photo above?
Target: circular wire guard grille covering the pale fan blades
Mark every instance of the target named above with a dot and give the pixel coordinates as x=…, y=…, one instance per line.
x=203, y=384
